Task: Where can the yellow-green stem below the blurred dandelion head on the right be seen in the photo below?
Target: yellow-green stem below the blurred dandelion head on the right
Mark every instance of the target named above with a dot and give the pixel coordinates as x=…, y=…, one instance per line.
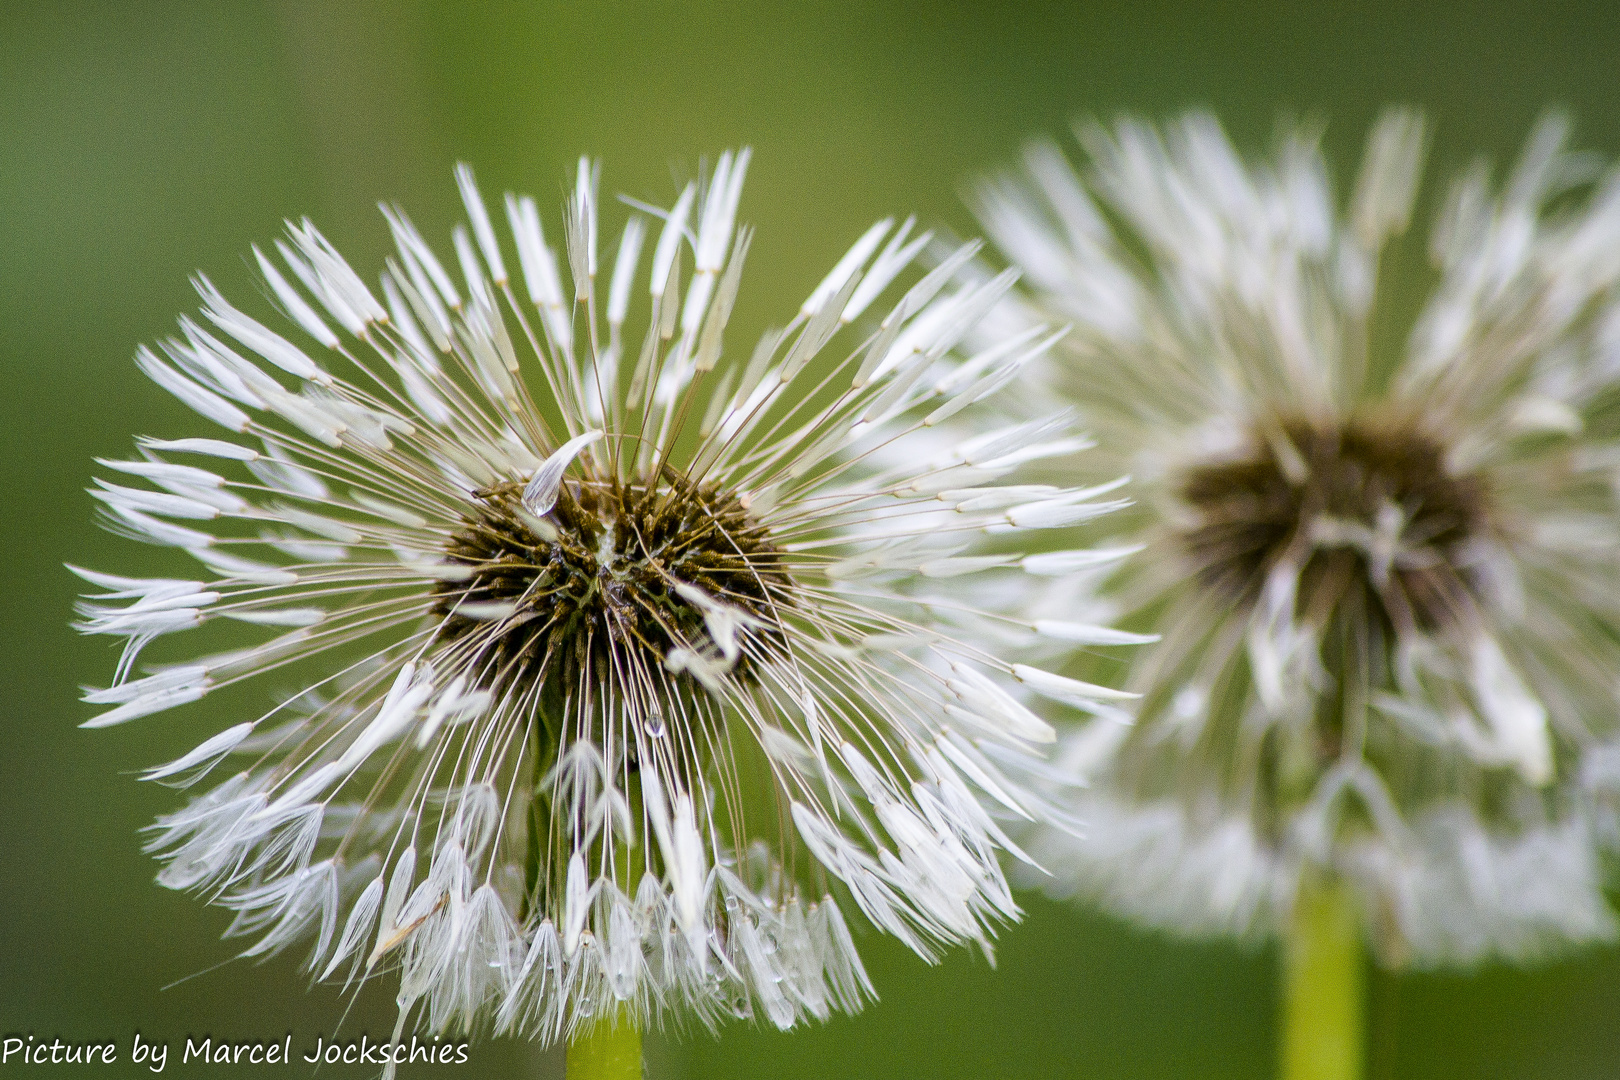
x=1323, y=987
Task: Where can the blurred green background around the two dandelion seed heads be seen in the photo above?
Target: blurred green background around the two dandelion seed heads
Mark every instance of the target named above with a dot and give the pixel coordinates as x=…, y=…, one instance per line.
x=143, y=142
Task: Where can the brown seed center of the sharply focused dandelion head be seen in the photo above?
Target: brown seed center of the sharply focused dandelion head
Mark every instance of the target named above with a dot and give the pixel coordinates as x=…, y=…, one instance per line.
x=600, y=585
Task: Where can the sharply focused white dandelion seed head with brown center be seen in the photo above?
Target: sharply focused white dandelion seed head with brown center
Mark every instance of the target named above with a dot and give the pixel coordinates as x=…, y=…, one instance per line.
x=623, y=671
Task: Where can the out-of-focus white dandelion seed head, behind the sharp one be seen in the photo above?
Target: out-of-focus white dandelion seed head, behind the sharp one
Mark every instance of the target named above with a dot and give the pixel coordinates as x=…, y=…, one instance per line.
x=1384, y=569
